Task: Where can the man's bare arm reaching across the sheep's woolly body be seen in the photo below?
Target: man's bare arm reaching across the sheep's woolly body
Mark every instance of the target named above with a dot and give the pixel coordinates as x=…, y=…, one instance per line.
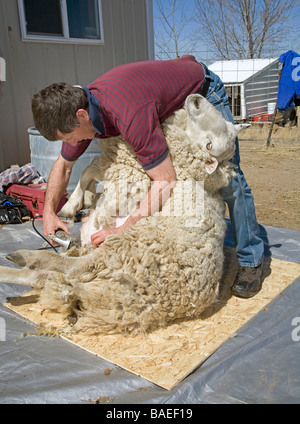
x=164, y=180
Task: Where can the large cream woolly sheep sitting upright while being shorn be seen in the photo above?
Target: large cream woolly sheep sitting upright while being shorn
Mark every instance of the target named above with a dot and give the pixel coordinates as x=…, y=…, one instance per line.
x=167, y=266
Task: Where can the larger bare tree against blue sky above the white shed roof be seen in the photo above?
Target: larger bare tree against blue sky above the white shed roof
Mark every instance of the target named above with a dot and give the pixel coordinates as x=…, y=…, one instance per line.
x=242, y=29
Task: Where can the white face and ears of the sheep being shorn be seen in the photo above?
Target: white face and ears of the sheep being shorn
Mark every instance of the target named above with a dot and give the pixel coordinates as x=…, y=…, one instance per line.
x=207, y=128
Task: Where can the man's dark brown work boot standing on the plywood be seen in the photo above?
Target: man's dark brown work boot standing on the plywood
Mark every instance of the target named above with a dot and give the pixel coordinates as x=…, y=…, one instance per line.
x=248, y=281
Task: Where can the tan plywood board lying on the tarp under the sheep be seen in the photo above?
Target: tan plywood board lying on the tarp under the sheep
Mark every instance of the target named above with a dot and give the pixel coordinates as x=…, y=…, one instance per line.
x=166, y=356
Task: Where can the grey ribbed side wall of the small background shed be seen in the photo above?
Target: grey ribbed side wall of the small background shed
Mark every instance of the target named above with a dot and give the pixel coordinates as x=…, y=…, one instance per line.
x=261, y=89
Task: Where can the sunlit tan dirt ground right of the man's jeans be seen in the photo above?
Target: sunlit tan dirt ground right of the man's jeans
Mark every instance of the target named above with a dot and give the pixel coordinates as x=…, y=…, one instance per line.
x=273, y=174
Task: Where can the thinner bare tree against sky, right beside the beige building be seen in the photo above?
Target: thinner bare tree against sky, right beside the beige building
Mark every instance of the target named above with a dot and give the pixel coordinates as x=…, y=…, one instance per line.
x=174, y=37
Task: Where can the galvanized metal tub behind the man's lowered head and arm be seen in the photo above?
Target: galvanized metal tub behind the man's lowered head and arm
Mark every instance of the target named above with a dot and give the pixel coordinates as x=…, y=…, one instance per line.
x=44, y=153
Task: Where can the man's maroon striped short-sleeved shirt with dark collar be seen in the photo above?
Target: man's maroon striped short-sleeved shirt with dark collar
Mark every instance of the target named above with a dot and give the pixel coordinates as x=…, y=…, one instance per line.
x=134, y=99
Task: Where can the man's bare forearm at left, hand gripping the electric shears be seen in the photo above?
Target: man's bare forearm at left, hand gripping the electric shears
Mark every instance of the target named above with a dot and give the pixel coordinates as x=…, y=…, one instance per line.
x=56, y=187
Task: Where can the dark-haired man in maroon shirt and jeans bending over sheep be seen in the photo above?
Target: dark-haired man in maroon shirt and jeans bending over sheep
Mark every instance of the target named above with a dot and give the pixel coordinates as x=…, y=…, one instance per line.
x=132, y=100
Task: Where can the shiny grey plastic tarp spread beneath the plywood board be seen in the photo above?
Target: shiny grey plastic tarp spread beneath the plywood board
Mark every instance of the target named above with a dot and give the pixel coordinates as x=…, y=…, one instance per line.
x=259, y=365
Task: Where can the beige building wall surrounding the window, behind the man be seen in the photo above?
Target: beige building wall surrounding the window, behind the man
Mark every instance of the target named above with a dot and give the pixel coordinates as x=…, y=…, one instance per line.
x=31, y=66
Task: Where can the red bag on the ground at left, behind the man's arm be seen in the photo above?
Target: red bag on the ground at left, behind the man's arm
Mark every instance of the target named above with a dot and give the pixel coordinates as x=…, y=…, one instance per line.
x=33, y=196
